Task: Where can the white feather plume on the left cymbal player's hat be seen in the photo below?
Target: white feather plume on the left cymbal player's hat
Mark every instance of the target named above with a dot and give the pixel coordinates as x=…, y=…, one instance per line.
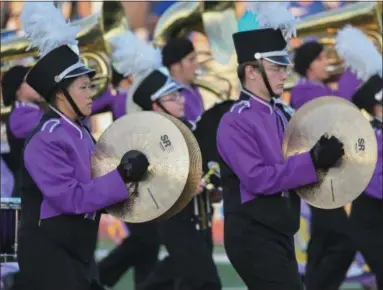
x=46, y=27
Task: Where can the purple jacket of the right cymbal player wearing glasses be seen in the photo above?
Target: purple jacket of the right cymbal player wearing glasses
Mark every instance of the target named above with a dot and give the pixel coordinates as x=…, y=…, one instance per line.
x=249, y=140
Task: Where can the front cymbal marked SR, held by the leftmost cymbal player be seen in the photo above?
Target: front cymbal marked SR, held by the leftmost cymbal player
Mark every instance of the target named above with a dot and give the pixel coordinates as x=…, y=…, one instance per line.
x=168, y=154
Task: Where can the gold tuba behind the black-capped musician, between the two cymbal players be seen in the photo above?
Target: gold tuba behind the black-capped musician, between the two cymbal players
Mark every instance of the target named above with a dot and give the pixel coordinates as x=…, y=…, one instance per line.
x=217, y=79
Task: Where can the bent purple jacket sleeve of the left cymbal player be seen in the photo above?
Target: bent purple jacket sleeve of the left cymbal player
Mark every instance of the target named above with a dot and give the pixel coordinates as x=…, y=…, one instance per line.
x=48, y=162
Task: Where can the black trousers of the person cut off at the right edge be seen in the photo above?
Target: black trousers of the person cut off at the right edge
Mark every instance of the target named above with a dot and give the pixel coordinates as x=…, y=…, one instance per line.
x=367, y=231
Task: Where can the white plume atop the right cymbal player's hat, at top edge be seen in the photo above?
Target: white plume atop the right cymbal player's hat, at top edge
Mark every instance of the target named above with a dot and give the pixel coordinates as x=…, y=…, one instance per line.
x=275, y=15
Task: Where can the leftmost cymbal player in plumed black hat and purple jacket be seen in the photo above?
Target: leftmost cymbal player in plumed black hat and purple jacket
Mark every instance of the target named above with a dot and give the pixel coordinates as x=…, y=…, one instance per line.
x=61, y=203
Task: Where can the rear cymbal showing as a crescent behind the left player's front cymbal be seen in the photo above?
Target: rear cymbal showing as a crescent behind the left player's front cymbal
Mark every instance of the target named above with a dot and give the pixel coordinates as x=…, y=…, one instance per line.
x=195, y=172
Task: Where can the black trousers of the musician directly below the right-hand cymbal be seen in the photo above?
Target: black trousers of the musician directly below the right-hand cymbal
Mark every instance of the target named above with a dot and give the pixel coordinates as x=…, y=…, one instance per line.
x=330, y=251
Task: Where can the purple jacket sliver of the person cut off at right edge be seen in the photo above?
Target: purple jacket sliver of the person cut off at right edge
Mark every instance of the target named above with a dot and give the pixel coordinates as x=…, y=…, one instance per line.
x=375, y=187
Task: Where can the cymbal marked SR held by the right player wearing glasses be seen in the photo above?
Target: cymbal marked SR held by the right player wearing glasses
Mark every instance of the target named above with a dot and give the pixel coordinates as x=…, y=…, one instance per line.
x=338, y=117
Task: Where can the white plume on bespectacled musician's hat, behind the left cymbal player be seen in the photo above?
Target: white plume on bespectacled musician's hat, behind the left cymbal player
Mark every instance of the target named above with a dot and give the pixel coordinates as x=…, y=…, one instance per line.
x=130, y=54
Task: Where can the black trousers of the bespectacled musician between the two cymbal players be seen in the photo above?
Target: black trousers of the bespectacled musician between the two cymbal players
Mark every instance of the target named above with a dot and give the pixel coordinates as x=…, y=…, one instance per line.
x=190, y=264
